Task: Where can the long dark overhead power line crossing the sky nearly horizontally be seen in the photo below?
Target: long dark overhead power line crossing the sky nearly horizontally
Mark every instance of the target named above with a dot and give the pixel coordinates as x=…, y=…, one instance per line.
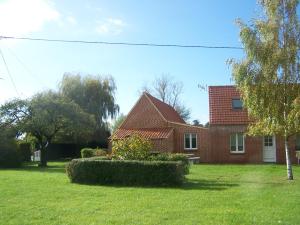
x=121, y=43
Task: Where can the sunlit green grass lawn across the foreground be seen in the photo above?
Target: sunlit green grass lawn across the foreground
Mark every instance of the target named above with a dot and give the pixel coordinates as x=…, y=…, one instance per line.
x=214, y=194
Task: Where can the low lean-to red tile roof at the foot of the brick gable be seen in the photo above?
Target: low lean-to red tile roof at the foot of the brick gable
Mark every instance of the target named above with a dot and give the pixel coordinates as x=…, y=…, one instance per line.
x=149, y=133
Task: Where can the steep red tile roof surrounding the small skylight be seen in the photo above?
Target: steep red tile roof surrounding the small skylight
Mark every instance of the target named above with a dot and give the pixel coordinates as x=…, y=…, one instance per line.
x=220, y=106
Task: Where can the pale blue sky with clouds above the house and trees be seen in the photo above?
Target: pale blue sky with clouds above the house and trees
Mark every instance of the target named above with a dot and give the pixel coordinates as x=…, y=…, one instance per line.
x=169, y=21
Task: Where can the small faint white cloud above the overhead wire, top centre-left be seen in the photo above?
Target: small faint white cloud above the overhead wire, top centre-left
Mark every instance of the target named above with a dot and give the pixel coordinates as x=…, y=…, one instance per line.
x=110, y=26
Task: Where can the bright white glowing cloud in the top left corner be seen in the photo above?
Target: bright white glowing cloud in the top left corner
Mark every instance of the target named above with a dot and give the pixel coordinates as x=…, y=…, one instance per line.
x=18, y=17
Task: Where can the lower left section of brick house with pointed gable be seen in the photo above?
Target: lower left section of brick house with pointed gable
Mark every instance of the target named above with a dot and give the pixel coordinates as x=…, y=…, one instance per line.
x=159, y=122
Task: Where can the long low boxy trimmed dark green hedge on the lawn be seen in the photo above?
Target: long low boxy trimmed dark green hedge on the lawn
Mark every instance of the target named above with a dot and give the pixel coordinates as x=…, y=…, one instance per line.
x=125, y=172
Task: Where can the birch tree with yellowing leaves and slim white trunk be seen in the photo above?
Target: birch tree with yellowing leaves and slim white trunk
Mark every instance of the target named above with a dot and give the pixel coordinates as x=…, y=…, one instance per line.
x=268, y=78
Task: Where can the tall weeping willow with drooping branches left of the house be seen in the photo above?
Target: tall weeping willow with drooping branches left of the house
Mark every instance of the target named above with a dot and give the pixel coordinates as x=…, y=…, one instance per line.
x=95, y=95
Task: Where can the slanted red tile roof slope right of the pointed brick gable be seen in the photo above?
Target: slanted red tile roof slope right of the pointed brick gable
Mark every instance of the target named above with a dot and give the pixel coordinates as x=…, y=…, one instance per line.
x=167, y=111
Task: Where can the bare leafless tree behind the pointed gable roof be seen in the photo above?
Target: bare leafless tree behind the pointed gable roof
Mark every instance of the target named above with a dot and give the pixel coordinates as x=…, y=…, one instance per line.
x=169, y=91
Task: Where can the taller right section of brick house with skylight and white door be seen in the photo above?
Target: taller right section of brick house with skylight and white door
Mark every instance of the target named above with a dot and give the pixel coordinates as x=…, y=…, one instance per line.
x=228, y=122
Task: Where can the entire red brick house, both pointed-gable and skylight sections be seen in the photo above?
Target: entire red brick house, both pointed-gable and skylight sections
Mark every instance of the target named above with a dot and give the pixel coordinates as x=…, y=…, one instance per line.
x=224, y=142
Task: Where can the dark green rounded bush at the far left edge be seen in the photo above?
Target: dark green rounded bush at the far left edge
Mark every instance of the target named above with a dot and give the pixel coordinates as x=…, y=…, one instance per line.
x=9, y=158
